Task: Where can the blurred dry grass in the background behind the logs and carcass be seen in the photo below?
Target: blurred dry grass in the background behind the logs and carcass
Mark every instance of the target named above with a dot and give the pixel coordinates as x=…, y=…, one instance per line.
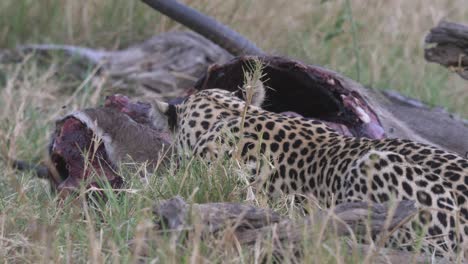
x=387, y=47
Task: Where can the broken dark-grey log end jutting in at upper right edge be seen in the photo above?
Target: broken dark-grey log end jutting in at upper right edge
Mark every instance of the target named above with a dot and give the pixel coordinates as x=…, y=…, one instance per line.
x=451, y=47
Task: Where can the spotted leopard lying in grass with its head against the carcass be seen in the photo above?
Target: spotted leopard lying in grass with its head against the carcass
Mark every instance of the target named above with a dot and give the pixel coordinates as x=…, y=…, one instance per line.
x=302, y=156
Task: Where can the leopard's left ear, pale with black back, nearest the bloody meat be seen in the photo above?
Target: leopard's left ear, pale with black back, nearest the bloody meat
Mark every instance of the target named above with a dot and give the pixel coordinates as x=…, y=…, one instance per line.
x=163, y=115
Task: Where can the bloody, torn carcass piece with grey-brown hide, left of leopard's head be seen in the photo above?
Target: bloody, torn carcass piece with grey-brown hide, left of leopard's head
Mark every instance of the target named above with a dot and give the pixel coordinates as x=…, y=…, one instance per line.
x=94, y=142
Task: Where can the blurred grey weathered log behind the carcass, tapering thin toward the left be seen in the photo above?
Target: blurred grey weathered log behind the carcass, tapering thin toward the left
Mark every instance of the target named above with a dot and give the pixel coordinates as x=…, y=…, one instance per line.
x=164, y=66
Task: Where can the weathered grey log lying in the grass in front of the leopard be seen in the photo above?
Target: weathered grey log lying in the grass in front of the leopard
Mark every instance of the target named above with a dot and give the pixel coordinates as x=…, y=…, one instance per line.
x=251, y=221
